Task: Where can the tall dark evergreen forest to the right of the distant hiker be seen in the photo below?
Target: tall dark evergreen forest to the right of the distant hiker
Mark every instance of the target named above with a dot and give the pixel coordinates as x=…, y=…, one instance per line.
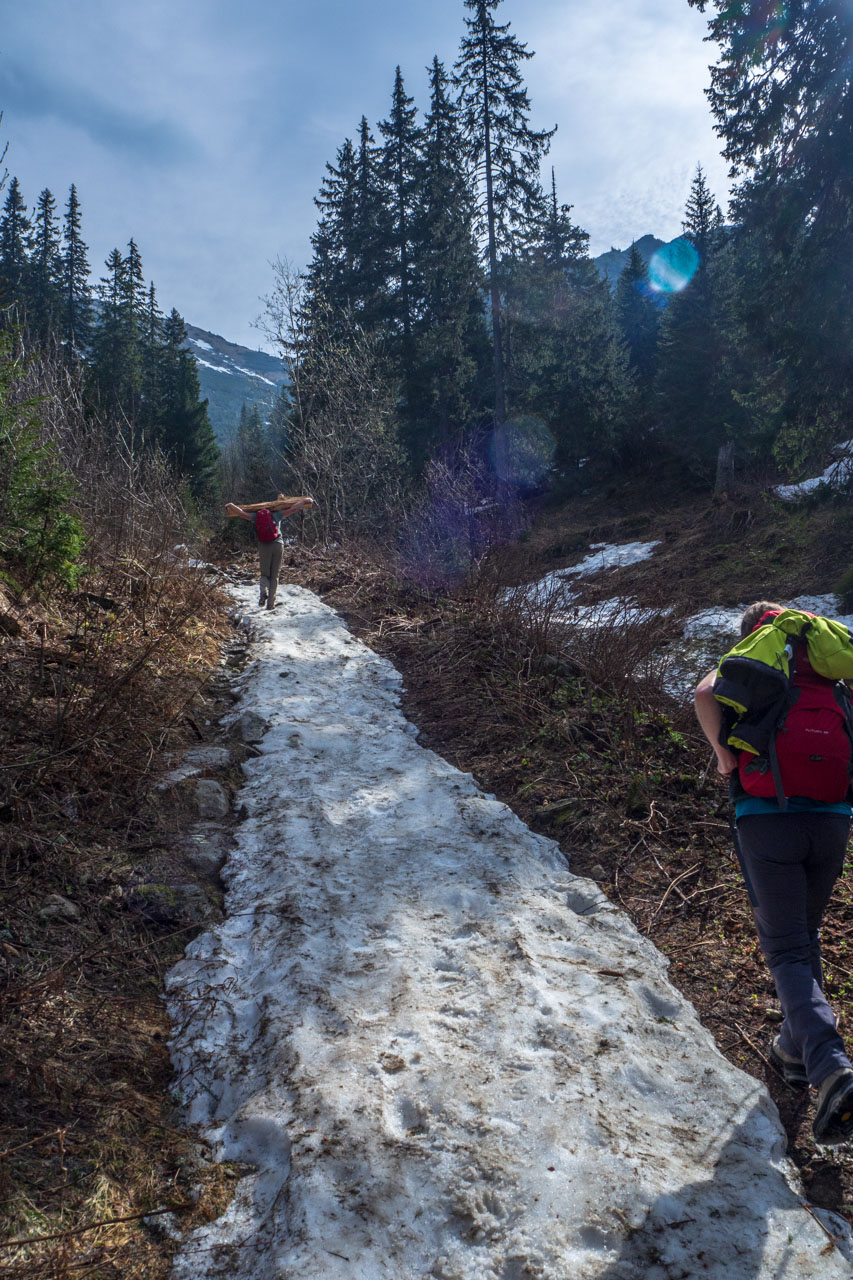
x=448, y=262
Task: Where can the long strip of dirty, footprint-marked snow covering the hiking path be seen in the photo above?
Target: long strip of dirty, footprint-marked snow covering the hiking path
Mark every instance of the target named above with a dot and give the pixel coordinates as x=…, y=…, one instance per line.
x=448, y=1057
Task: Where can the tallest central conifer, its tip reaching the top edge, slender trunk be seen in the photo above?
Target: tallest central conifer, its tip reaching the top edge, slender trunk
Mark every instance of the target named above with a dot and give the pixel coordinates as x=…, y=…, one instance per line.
x=504, y=152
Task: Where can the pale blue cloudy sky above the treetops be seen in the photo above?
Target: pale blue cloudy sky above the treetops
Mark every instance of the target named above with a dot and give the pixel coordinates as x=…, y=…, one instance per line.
x=202, y=127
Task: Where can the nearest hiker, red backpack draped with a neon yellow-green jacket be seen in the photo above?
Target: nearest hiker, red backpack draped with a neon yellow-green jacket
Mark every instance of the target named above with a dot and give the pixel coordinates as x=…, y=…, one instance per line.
x=779, y=717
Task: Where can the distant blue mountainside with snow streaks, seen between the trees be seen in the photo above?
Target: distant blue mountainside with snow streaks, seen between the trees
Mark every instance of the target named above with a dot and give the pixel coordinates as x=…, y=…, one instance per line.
x=232, y=376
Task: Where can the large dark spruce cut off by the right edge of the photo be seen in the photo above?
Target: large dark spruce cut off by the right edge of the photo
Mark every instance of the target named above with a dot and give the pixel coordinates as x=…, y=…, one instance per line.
x=783, y=100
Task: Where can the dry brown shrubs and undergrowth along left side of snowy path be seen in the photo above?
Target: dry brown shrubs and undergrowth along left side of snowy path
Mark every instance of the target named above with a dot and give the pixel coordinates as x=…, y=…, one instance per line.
x=95, y=683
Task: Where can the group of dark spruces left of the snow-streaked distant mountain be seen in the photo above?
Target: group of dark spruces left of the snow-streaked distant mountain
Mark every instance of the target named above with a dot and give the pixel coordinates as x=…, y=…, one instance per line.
x=108, y=354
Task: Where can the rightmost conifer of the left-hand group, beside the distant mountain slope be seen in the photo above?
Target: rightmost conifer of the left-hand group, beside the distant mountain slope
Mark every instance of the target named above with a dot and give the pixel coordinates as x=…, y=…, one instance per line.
x=186, y=433
